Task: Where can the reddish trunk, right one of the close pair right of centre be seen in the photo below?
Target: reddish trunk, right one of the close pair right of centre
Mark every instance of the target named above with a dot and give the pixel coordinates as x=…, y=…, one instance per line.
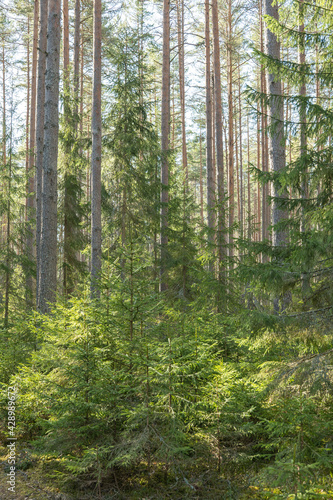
x=219, y=141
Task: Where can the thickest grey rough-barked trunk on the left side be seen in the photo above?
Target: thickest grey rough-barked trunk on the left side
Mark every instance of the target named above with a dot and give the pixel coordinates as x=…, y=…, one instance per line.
x=48, y=264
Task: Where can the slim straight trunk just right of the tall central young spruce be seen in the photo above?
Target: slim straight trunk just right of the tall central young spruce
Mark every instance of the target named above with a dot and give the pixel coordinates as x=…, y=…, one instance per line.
x=165, y=130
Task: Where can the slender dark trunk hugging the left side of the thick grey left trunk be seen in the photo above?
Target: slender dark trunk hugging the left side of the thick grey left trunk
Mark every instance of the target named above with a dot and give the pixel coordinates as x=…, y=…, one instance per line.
x=40, y=128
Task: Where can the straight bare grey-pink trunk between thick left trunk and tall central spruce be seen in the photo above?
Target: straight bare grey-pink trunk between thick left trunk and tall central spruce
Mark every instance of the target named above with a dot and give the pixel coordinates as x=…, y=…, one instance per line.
x=96, y=127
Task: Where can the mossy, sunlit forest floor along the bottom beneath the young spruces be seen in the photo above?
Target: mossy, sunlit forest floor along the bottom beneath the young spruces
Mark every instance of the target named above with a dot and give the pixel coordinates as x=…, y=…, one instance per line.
x=39, y=478
